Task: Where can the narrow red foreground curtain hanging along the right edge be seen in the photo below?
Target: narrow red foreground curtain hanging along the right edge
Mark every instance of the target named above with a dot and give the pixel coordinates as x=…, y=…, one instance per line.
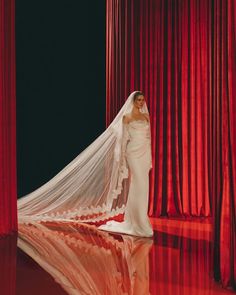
x=224, y=151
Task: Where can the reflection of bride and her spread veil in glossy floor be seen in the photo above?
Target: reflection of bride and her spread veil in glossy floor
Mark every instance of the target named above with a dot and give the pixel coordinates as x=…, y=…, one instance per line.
x=84, y=260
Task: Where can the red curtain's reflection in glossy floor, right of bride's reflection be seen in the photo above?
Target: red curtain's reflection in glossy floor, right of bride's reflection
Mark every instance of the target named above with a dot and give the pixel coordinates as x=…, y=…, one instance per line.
x=181, y=266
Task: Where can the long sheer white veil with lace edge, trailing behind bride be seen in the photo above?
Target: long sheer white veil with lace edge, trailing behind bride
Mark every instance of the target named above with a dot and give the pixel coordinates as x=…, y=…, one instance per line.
x=92, y=187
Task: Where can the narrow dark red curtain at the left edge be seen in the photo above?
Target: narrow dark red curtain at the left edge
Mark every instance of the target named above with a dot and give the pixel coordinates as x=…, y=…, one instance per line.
x=8, y=220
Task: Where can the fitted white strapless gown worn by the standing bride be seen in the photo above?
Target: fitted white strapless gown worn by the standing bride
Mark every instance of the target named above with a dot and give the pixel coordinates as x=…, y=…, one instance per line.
x=138, y=156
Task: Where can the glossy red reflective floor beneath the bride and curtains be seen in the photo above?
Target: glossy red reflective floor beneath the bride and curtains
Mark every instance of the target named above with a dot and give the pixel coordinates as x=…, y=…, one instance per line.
x=73, y=259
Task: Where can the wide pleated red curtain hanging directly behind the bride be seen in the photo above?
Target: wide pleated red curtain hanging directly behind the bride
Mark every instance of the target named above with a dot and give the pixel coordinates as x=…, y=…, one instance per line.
x=164, y=48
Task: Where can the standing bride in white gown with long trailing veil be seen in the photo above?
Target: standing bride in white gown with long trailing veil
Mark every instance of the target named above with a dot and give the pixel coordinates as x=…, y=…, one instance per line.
x=110, y=177
